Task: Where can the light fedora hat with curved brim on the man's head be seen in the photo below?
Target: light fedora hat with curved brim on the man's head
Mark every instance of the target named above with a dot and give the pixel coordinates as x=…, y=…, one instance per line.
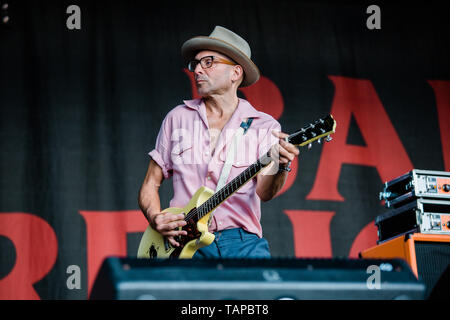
x=228, y=43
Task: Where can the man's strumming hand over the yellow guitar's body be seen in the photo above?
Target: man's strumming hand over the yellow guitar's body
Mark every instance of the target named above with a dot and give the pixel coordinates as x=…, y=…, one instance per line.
x=167, y=225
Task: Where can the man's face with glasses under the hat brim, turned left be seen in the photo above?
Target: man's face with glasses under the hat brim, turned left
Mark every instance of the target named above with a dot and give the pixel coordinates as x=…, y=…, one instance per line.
x=214, y=80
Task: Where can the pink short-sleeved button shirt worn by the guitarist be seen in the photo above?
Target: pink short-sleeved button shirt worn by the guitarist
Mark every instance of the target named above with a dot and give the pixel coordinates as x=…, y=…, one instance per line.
x=182, y=151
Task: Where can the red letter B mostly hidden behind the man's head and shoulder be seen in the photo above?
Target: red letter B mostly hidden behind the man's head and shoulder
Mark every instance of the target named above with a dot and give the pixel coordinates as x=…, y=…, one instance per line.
x=265, y=96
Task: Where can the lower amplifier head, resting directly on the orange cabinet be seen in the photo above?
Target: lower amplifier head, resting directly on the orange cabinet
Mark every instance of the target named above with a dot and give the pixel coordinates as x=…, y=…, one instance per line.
x=425, y=216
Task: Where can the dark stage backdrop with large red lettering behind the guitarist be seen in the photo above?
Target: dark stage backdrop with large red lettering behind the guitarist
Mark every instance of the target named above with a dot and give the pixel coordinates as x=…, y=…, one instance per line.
x=80, y=110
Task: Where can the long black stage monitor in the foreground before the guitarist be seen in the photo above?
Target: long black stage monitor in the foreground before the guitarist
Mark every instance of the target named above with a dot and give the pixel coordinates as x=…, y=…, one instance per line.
x=255, y=279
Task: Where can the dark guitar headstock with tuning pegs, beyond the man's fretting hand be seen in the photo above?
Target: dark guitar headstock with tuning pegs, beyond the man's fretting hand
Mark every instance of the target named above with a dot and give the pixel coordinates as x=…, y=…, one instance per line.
x=323, y=127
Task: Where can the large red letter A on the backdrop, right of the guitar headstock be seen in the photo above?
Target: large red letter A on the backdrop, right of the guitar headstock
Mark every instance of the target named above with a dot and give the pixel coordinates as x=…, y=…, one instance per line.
x=383, y=149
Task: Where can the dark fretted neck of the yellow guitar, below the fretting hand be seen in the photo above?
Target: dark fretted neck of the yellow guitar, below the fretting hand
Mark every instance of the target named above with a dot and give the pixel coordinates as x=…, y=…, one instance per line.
x=231, y=187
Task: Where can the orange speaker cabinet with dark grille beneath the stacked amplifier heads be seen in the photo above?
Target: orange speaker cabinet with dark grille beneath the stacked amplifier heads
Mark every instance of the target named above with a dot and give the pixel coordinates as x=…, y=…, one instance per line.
x=428, y=255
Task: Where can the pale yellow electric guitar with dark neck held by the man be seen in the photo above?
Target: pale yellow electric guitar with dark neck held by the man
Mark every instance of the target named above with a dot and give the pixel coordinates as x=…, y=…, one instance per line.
x=204, y=201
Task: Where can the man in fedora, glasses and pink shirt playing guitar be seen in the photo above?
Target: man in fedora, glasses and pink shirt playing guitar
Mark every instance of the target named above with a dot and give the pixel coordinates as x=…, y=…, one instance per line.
x=193, y=143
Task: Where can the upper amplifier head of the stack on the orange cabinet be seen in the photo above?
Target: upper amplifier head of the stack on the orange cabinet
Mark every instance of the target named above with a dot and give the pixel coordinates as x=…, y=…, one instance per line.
x=416, y=184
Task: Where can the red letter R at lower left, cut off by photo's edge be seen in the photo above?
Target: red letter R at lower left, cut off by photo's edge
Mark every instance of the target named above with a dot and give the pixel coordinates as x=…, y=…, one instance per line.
x=36, y=250
